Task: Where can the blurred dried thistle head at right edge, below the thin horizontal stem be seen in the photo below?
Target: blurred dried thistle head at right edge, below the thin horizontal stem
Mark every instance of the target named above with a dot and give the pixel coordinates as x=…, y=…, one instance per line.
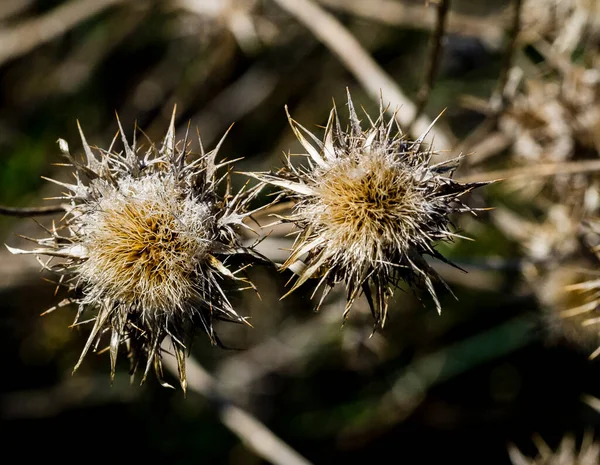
x=560, y=268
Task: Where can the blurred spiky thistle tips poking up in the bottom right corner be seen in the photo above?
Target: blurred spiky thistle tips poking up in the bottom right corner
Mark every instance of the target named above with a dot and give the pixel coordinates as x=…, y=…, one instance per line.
x=568, y=453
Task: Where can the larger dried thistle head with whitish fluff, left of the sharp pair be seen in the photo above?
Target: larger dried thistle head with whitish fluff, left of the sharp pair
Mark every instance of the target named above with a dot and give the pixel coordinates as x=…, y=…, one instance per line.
x=142, y=246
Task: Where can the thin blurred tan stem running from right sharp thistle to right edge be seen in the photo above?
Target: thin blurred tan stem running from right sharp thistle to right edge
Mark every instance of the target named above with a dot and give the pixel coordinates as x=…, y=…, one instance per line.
x=546, y=169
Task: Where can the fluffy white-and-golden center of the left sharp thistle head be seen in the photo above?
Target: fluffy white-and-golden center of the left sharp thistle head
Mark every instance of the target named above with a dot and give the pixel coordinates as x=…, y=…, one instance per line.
x=145, y=245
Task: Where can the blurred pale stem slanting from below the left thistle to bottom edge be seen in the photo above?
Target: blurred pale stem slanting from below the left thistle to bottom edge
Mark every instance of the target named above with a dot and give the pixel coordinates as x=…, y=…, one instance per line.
x=254, y=434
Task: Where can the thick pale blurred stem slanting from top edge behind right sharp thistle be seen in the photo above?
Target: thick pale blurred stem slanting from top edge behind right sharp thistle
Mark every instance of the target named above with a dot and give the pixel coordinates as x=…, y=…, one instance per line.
x=369, y=74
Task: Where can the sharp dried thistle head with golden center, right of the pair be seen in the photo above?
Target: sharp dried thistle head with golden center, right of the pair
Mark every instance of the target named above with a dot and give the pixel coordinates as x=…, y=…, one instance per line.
x=368, y=207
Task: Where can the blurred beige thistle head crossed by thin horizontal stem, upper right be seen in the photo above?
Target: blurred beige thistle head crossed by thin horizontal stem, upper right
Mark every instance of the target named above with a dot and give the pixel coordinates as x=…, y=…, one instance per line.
x=555, y=119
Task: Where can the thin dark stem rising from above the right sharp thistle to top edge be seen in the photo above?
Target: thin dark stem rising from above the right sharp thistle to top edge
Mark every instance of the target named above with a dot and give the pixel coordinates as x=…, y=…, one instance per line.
x=433, y=59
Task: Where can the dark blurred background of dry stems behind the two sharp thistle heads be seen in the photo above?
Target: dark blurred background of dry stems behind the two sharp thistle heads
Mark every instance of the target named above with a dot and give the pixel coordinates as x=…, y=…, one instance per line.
x=504, y=361
